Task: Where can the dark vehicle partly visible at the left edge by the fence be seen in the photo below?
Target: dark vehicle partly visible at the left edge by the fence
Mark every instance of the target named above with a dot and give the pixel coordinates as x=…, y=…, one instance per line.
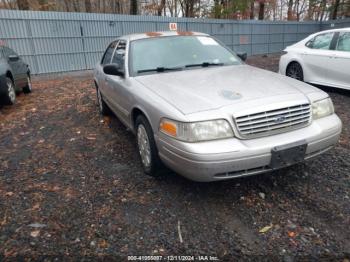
x=14, y=76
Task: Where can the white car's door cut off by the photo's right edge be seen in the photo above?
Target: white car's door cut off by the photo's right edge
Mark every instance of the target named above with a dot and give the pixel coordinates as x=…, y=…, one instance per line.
x=339, y=65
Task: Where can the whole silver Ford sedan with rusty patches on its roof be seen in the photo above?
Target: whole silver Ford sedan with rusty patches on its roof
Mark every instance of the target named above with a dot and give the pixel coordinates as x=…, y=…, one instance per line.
x=196, y=107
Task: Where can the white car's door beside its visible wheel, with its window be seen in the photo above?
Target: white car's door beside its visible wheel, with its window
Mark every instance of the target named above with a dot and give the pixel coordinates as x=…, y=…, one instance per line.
x=316, y=57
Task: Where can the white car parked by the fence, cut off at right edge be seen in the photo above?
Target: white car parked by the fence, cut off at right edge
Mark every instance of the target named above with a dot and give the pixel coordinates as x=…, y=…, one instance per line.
x=322, y=58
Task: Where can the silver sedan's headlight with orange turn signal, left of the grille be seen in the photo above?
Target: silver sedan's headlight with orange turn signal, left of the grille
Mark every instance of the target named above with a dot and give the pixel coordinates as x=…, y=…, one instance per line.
x=196, y=131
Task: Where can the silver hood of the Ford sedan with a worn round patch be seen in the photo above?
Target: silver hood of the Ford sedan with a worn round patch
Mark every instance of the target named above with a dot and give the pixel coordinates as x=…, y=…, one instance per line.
x=203, y=89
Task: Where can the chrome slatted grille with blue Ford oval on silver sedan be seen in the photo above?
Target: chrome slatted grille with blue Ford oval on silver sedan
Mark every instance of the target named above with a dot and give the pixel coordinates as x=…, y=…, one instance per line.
x=273, y=121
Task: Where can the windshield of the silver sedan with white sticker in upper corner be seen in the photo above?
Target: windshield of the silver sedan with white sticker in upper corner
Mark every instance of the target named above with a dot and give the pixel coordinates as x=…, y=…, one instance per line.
x=154, y=55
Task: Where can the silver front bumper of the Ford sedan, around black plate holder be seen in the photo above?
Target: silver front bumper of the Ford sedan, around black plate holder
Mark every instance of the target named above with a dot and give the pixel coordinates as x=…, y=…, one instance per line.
x=230, y=158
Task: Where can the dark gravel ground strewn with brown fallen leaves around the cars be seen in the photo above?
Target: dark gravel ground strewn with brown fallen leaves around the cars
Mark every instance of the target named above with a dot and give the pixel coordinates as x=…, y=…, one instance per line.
x=71, y=184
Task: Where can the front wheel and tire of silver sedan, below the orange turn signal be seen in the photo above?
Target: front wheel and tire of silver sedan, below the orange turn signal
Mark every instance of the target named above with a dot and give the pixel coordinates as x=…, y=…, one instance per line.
x=146, y=145
